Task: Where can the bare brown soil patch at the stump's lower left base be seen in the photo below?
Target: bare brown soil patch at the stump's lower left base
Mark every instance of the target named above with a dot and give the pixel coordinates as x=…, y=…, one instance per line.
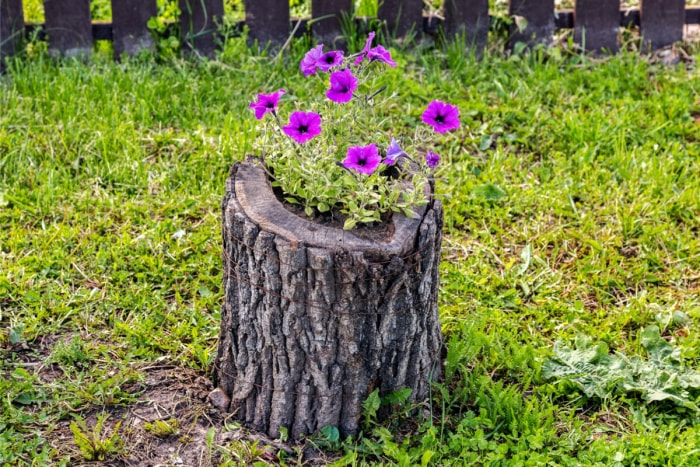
x=170, y=393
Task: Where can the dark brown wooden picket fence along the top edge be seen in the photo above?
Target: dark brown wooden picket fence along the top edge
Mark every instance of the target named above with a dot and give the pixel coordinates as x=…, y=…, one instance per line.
x=70, y=30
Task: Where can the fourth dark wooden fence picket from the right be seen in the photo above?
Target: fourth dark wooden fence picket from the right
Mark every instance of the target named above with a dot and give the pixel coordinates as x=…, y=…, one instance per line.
x=469, y=18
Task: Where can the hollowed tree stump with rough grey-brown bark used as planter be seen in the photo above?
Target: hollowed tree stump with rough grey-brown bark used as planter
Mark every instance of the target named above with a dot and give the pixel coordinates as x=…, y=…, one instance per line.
x=315, y=318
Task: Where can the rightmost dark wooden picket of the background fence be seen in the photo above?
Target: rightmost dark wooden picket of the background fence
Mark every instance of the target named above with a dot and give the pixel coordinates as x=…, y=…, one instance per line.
x=662, y=22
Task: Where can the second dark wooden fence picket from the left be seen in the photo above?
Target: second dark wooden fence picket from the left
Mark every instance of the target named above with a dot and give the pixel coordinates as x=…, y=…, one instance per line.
x=69, y=27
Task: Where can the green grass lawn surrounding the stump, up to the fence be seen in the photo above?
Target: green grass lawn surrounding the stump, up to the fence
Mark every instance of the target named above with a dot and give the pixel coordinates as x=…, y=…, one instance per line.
x=570, y=281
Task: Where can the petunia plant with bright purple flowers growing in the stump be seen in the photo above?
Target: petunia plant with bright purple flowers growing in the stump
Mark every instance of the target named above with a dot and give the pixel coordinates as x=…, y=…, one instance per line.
x=335, y=155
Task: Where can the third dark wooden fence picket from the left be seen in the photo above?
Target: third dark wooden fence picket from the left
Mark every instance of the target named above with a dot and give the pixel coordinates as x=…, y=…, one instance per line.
x=130, y=32
